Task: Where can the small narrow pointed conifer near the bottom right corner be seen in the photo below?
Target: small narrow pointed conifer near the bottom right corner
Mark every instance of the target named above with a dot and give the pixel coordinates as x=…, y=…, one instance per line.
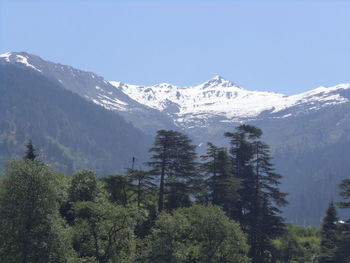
x=329, y=236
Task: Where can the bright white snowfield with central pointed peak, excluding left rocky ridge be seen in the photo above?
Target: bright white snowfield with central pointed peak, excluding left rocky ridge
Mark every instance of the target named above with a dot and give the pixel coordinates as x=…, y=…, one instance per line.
x=220, y=100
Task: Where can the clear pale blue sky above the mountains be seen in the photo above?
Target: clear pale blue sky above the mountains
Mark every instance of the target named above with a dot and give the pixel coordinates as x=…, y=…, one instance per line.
x=280, y=46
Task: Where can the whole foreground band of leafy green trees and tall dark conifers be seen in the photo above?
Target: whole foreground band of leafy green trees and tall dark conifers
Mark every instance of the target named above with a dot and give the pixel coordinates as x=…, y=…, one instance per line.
x=225, y=208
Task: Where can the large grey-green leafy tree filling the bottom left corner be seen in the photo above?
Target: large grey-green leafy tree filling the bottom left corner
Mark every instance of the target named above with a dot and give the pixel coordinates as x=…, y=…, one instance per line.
x=31, y=229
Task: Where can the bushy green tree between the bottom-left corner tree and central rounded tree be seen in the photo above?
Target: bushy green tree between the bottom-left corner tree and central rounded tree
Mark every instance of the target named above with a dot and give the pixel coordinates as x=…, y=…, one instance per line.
x=103, y=232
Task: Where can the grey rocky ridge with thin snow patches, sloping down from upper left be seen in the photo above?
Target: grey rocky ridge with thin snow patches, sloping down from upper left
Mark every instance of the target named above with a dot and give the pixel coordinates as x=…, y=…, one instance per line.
x=93, y=88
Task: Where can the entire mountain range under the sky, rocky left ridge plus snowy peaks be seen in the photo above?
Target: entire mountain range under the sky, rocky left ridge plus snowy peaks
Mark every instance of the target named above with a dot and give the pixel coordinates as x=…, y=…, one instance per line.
x=166, y=105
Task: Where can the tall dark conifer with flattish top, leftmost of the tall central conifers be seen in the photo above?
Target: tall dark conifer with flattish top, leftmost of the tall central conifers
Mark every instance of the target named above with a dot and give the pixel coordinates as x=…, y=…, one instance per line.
x=173, y=161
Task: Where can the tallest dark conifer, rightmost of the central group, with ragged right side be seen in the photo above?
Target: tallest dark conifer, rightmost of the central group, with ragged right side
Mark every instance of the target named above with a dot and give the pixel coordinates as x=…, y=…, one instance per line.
x=258, y=209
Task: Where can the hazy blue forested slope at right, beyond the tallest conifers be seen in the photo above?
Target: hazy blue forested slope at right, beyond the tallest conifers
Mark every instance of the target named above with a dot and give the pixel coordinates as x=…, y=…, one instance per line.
x=312, y=152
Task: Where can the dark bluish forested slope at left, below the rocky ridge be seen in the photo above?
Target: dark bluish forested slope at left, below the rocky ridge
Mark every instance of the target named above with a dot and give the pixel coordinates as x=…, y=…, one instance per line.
x=69, y=132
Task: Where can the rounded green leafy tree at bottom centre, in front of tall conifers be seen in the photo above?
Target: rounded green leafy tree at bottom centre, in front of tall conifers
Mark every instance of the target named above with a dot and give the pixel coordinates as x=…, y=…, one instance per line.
x=195, y=234
